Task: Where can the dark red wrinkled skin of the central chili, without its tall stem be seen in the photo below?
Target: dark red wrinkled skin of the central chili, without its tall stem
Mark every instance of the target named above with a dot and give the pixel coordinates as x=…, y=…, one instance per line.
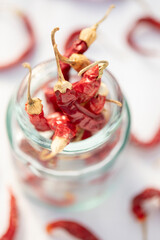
x=78, y=114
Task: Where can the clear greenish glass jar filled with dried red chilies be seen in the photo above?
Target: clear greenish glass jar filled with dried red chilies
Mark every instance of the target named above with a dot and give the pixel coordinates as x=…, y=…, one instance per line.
x=82, y=174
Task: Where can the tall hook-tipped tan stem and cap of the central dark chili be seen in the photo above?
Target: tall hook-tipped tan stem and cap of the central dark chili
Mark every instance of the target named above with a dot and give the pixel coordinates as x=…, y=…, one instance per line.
x=62, y=85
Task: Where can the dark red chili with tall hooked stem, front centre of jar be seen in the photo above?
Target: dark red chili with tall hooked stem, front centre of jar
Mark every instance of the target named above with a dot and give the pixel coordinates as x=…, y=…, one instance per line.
x=67, y=100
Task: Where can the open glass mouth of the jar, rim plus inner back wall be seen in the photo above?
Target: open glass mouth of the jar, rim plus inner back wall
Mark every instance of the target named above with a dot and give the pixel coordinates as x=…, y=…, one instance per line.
x=48, y=70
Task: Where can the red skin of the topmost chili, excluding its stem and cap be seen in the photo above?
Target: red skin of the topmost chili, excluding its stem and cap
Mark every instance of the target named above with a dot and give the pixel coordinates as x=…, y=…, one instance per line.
x=79, y=47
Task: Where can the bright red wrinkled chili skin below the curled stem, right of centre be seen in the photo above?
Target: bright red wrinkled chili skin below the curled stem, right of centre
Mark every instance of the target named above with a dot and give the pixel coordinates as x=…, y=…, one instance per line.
x=88, y=86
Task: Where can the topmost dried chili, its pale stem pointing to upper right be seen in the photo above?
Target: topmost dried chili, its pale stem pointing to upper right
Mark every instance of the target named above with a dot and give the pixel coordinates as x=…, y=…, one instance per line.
x=86, y=38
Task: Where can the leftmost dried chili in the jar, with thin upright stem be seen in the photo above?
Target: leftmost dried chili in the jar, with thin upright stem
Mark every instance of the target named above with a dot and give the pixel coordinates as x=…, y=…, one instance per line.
x=34, y=108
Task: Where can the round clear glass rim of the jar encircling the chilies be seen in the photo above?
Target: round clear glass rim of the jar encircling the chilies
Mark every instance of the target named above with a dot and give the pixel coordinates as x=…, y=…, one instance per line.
x=74, y=147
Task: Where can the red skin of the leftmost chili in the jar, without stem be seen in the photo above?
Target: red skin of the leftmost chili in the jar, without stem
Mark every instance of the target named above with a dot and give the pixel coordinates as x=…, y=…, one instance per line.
x=38, y=120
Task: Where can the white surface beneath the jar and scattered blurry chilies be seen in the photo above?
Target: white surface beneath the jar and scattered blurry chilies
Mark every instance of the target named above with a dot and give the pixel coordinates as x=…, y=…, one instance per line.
x=139, y=78
